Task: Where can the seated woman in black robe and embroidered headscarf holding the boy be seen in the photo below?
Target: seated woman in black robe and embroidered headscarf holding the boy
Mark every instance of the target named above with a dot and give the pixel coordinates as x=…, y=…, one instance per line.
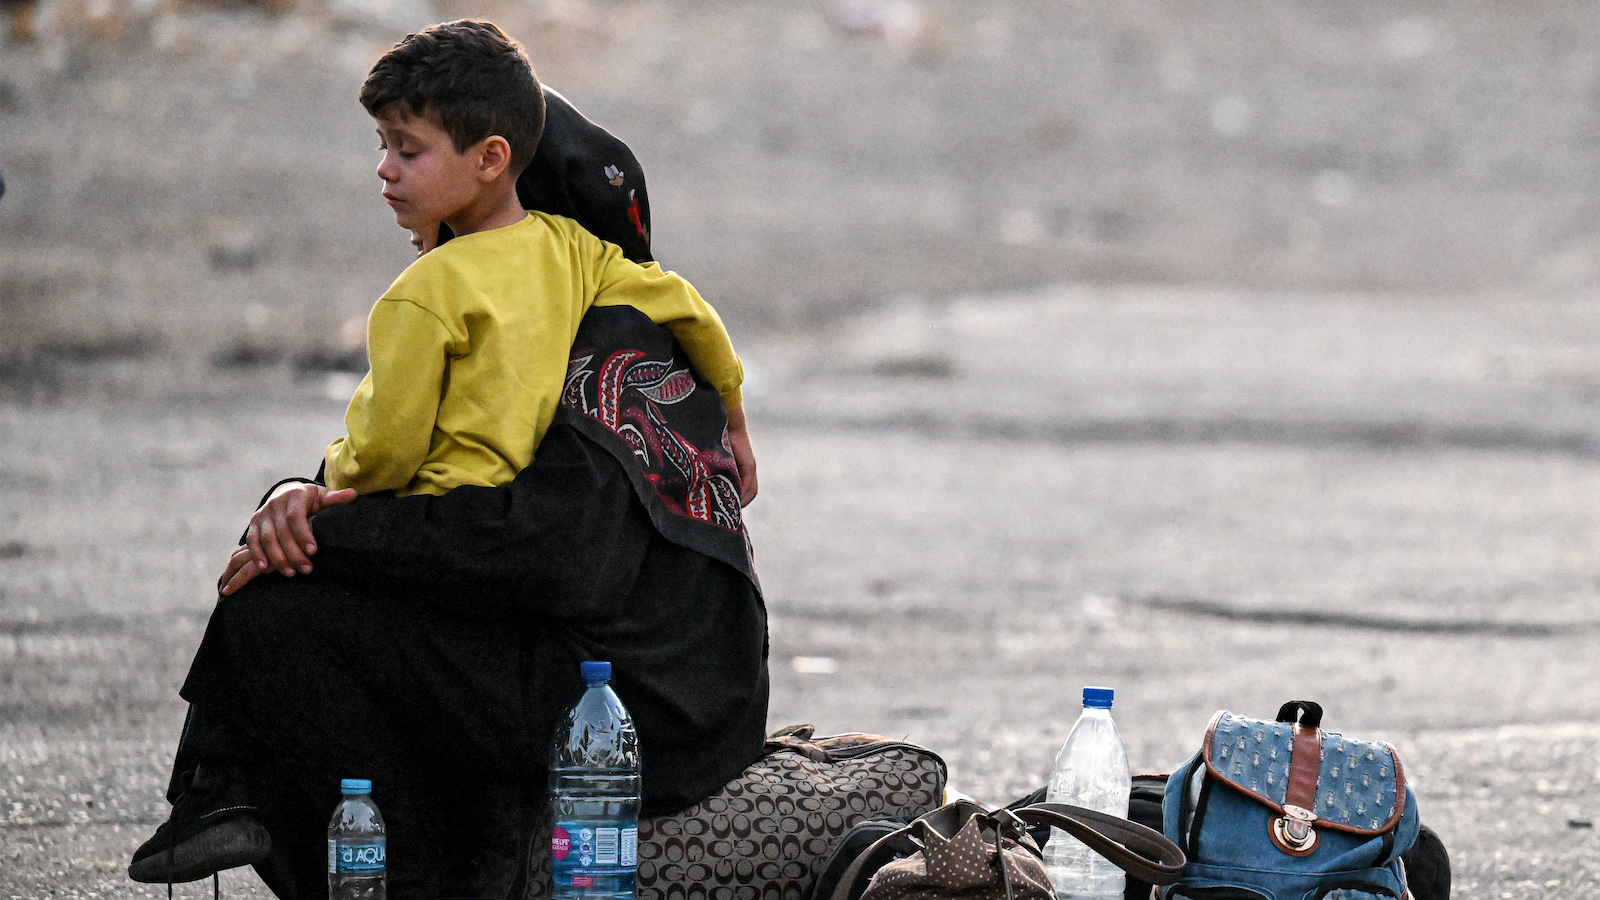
x=438, y=640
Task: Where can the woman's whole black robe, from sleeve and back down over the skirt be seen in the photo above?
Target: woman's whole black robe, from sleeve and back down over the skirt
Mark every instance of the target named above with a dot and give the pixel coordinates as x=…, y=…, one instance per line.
x=436, y=645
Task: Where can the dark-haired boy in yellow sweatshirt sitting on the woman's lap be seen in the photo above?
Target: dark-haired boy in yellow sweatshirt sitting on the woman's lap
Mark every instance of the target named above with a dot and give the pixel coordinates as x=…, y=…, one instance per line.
x=470, y=347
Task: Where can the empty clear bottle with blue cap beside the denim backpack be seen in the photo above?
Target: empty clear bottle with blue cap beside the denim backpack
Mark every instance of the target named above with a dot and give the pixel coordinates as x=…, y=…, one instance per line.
x=1092, y=771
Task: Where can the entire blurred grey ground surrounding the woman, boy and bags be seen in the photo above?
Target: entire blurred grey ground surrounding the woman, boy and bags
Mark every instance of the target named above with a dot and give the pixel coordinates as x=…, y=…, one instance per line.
x=1223, y=353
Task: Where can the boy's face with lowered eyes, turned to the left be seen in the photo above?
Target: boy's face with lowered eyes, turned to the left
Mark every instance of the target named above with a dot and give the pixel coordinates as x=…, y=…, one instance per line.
x=426, y=180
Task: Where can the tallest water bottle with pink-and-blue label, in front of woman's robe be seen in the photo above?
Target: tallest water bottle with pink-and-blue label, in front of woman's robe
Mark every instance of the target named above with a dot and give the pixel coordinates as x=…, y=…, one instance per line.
x=594, y=795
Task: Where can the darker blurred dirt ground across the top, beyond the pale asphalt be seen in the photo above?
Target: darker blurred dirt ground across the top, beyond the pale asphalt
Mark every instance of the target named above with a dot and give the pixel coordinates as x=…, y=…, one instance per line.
x=196, y=179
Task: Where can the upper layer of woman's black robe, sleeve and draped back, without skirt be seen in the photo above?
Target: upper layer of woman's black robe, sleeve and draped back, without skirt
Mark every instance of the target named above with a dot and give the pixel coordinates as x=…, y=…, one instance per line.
x=570, y=558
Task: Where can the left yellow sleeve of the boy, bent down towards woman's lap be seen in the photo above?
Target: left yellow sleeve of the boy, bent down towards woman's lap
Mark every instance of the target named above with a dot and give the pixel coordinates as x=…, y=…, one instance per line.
x=391, y=419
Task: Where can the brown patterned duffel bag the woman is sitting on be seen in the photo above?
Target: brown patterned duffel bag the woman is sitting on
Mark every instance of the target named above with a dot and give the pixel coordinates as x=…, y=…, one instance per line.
x=767, y=834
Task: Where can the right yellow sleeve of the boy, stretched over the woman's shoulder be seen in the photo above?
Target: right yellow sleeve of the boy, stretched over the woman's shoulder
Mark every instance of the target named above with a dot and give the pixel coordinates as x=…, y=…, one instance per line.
x=671, y=302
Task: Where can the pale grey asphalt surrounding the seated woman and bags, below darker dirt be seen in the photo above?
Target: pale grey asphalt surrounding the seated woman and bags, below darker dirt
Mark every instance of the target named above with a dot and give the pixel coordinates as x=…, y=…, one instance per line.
x=969, y=510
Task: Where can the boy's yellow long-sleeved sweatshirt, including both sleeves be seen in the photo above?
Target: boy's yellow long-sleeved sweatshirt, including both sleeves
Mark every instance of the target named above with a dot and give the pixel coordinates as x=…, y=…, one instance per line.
x=470, y=352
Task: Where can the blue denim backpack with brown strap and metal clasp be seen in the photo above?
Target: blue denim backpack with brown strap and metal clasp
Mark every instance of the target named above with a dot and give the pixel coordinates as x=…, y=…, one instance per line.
x=1284, y=811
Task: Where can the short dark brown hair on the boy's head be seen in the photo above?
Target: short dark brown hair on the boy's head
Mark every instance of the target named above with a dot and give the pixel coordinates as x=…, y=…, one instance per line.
x=470, y=74
